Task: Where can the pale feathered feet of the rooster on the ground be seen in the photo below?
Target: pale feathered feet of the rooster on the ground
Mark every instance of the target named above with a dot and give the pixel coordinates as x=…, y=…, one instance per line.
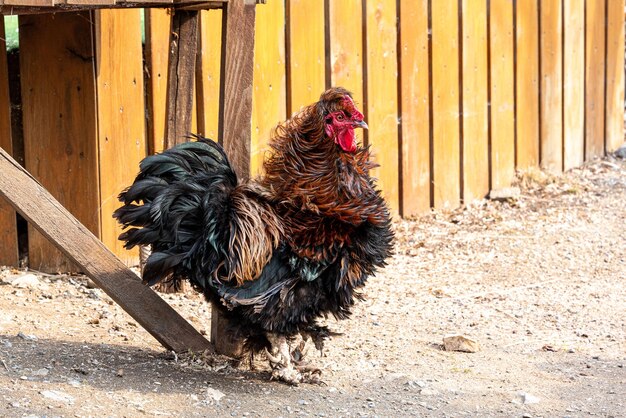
x=287, y=363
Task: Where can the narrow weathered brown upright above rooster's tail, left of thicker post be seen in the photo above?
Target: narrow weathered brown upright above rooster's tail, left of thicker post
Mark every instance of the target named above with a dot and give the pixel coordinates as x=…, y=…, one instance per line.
x=181, y=77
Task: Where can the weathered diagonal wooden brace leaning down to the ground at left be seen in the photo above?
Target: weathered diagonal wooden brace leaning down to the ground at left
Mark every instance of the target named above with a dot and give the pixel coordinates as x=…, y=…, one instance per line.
x=49, y=217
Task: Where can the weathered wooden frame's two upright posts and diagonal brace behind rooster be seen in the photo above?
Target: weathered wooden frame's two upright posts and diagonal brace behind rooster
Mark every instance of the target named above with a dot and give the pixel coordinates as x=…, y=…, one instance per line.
x=56, y=224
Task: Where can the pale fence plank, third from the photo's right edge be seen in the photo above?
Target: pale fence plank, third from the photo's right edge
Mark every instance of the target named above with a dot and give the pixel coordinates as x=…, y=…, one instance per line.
x=573, y=83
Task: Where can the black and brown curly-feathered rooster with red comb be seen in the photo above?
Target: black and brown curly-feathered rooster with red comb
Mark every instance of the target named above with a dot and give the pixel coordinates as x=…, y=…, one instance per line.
x=276, y=253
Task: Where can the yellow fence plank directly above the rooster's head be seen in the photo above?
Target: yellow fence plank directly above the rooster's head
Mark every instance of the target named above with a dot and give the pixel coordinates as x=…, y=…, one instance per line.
x=346, y=46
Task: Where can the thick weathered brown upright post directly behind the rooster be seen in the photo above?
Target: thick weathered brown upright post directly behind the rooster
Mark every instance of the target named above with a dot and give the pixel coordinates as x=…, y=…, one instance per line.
x=235, y=119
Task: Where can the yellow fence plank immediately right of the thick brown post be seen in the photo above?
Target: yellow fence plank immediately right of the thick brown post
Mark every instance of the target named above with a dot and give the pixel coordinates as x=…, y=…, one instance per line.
x=269, y=98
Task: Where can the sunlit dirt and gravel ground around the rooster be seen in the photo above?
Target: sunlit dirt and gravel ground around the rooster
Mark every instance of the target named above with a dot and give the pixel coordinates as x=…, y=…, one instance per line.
x=539, y=281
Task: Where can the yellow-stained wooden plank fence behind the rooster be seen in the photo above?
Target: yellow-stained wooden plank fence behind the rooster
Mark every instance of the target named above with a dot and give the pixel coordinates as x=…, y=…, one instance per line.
x=458, y=94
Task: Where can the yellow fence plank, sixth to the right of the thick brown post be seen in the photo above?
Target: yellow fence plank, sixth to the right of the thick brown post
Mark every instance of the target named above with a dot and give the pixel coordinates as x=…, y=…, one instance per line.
x=445, y=102
